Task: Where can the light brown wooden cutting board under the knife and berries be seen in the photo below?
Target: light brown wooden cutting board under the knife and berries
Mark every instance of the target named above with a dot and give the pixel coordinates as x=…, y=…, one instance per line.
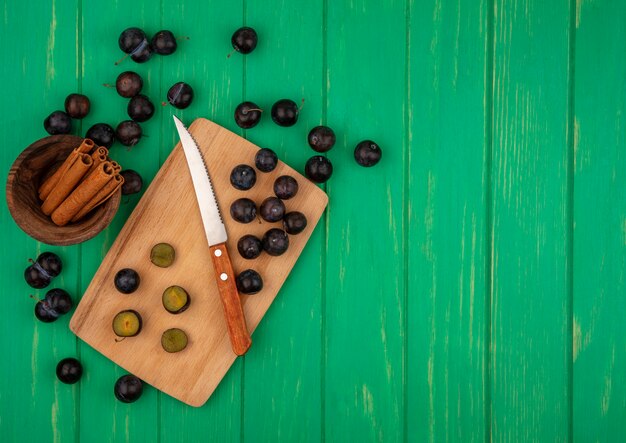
x=168, y=212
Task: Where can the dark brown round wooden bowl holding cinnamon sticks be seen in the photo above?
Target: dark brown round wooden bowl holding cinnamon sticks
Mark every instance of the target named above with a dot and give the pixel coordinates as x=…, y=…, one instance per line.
x=29, y=170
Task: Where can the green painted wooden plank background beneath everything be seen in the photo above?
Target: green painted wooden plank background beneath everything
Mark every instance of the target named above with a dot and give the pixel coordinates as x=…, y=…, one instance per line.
x=471, y=287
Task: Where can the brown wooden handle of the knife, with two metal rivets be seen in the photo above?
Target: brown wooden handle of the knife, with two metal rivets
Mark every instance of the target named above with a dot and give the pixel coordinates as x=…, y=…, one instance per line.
x=239, y=337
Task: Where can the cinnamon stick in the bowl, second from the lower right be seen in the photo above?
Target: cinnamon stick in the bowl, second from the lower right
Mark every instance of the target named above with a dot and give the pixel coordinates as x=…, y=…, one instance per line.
x=83, y=193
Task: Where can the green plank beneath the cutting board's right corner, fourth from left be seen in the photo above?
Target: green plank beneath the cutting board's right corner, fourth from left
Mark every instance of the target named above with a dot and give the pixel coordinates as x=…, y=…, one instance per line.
x=282, y=397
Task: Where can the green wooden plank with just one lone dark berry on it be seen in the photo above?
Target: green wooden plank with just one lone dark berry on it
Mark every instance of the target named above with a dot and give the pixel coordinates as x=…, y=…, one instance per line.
x=364, y=394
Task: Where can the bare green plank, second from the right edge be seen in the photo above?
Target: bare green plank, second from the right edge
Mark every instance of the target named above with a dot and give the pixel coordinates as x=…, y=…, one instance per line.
x=530, y=309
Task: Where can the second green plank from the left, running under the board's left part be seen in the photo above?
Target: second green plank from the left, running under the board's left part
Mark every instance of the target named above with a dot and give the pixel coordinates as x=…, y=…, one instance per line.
x=100, y=31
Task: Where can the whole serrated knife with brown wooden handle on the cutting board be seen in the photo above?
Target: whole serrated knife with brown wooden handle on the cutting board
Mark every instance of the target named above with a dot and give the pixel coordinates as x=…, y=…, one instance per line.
x=216, y=237
